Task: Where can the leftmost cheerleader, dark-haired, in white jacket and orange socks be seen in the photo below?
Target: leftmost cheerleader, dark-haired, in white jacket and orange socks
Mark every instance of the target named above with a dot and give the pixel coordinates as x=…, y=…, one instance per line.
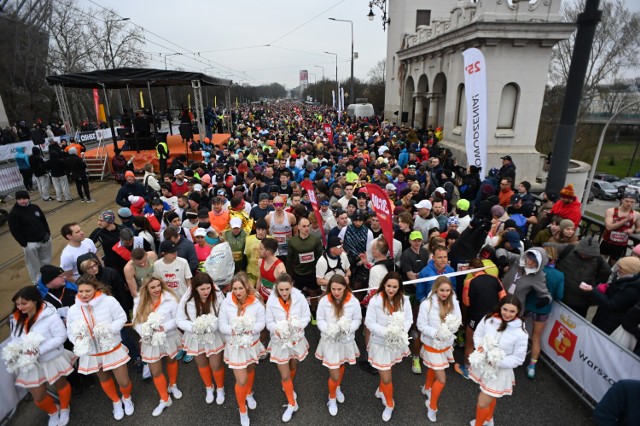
x=34, y=317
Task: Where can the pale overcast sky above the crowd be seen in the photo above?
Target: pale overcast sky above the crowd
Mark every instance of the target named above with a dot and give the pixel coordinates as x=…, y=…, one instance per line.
x=232, y=36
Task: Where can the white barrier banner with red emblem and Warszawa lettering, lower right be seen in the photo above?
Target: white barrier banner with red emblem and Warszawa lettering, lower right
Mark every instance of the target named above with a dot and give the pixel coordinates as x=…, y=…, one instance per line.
x=588, y=356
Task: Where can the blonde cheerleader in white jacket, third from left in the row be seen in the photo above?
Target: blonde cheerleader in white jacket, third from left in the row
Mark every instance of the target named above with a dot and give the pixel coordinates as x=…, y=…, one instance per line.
x=155, y=296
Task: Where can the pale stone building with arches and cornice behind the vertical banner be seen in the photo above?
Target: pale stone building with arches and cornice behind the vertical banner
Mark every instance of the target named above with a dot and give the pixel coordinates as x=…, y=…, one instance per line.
x=425, y=85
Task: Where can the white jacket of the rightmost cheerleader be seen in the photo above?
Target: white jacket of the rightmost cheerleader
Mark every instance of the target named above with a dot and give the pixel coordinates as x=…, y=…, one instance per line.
x=513, y=340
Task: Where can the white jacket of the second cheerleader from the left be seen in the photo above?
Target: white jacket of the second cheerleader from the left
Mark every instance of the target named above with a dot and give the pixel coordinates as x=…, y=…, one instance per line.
x=102, y=309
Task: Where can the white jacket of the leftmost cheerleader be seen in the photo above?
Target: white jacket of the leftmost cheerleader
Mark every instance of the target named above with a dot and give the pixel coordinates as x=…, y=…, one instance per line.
x=49, y=325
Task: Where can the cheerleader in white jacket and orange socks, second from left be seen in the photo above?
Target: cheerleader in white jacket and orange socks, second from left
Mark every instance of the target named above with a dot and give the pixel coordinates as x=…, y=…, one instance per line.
x=93, y=324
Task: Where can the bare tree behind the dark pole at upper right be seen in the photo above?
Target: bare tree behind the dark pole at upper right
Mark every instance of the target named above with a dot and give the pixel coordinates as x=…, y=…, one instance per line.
x=615, y=50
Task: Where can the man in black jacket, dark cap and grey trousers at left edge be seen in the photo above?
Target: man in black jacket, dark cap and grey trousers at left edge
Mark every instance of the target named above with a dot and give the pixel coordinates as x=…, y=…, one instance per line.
x=30, y=229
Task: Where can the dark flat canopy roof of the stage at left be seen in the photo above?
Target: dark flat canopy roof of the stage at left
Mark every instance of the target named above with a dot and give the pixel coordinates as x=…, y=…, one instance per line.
x=119, y=78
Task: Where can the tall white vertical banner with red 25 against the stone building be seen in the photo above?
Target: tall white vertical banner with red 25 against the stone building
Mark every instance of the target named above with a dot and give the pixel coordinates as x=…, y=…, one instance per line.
x=475, y=81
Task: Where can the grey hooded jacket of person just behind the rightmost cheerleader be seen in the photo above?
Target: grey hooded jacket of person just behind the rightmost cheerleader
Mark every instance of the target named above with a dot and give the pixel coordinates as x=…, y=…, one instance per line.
x=519, y=280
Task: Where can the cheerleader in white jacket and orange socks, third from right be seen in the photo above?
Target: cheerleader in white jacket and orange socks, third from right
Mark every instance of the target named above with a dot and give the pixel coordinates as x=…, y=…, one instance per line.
x=388, y=300
